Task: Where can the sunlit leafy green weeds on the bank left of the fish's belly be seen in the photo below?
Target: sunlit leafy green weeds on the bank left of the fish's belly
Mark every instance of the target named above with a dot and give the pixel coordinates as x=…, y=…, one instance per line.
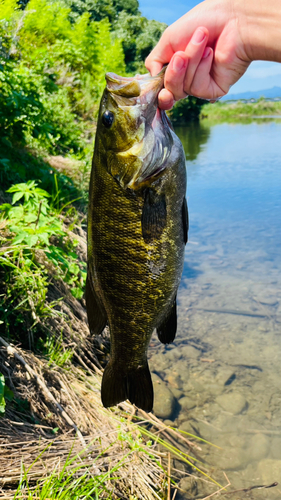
x=36, y=244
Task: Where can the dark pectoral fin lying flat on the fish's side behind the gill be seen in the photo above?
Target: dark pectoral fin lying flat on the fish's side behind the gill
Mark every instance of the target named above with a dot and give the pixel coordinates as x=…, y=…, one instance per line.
x=154, y=215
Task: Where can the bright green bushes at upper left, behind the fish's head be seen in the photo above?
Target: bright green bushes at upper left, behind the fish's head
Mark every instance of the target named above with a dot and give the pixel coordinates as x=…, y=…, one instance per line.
x=52, y=74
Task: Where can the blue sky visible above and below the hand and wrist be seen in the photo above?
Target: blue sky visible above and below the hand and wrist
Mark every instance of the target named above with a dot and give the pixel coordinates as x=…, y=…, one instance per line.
x=260, y=75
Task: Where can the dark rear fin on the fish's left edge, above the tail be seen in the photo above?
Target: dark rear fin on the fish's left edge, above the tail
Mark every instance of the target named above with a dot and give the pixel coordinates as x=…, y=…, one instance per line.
x=97, y=318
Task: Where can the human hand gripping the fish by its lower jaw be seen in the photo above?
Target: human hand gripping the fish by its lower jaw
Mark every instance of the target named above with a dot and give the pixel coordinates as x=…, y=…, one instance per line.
x=205, y=50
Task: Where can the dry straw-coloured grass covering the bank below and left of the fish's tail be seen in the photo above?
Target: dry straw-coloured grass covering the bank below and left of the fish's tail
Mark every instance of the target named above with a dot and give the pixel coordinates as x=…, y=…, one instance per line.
x=56, y=423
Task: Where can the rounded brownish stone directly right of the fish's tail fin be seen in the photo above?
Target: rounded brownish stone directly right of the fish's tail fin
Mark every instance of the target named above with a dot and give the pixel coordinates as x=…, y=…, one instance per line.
x=164, y=400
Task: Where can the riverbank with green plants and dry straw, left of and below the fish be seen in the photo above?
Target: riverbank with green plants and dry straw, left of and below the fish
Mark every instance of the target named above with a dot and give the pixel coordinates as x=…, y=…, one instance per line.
x=55, y=435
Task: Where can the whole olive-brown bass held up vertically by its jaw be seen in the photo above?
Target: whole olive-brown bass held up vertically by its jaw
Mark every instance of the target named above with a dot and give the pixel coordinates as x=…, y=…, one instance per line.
x=137, y=232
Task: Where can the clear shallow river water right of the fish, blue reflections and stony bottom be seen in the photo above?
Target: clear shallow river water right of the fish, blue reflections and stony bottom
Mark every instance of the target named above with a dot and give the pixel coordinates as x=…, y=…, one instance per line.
x=224, y=368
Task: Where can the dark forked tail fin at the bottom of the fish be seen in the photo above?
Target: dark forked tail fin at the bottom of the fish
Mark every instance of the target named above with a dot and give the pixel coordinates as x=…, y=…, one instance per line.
x=118, y=386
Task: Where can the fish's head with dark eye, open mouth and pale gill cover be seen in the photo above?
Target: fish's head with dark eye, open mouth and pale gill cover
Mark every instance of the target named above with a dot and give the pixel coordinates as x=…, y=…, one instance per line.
x=136, y=135
